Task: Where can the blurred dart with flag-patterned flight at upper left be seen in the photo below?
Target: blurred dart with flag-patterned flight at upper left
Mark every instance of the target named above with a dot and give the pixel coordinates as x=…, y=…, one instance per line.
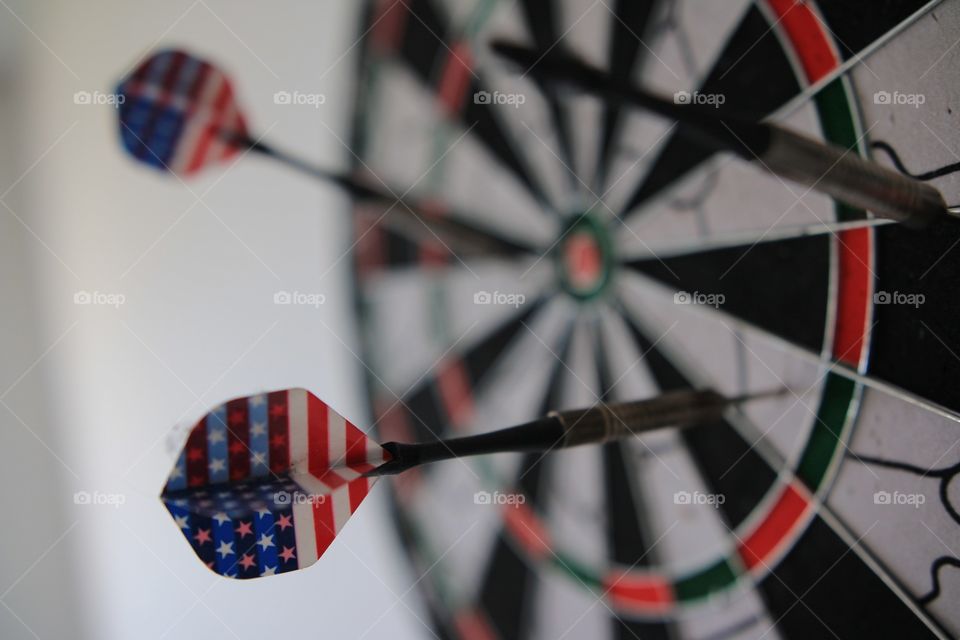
x=179, y=114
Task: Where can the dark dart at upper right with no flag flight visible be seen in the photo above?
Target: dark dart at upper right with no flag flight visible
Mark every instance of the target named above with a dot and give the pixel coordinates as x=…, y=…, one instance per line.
x=828, y=169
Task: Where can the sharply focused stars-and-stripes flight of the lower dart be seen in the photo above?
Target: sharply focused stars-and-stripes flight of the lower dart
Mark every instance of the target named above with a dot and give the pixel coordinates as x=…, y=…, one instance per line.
x=264, y=483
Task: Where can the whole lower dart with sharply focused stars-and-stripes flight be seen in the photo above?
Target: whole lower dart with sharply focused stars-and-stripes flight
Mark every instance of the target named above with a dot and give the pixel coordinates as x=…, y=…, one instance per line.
x=265, y=483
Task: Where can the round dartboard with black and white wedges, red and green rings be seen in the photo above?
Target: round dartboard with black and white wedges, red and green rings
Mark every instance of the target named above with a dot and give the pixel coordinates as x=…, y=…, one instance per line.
x=643, y=263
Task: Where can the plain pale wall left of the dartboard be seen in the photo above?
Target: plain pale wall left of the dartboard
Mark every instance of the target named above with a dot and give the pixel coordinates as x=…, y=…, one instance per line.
x=133, y=302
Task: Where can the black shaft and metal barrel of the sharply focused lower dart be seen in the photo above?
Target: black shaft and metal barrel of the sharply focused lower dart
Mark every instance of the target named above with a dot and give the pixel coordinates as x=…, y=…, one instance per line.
x=595, y=425
